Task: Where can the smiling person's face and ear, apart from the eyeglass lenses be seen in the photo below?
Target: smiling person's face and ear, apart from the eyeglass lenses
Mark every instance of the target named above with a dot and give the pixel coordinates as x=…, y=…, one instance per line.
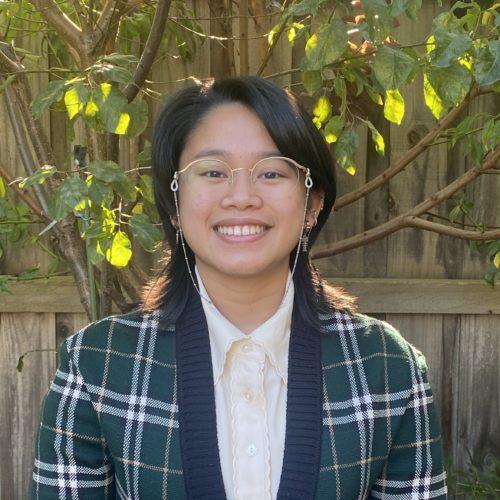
x=235, y=134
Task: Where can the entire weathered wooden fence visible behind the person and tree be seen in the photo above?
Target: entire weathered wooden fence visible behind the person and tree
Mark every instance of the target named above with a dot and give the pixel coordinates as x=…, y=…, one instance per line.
x=427, y=286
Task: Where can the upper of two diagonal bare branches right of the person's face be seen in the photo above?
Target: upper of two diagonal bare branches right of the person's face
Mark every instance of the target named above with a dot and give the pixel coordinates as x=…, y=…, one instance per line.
x=409, y=156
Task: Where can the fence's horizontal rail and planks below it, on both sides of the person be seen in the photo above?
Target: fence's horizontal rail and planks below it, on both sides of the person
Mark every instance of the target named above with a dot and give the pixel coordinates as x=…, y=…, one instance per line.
x=456, y=323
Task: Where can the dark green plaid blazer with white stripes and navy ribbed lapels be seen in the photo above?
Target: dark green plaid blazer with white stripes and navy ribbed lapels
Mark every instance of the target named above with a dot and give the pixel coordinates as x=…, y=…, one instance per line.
x=131, y=413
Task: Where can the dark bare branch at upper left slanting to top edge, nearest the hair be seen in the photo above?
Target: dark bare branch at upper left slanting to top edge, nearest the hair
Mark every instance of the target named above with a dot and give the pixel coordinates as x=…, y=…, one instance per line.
x=150, y=49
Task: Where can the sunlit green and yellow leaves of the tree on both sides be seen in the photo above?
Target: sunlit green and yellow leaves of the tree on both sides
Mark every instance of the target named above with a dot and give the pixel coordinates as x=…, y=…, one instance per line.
x=352, y=65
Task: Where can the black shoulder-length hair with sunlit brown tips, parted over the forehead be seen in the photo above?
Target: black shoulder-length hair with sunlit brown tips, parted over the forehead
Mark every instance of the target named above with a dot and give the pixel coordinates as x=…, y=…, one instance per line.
x=295, y=135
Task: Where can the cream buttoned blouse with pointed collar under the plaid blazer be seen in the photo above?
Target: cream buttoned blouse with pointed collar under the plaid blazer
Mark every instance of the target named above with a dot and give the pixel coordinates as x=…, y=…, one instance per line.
x=250, y=383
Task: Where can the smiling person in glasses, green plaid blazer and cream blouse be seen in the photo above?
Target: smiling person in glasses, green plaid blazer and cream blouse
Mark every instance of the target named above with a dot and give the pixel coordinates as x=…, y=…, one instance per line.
x=243, y=375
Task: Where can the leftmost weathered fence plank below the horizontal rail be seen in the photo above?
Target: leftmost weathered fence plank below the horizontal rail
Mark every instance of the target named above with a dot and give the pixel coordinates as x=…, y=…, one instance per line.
x=21, y=394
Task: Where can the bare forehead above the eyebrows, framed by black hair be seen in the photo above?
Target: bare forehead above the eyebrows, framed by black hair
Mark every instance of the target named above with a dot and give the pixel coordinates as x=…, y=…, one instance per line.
x=229, y=130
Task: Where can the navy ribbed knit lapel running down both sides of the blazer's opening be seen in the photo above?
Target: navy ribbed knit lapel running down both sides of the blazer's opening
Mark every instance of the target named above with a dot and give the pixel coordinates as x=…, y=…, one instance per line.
x=197, y=418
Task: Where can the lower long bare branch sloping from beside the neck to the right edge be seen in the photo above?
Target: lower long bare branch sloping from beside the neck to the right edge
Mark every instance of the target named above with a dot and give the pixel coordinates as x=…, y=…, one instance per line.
x=403, y=220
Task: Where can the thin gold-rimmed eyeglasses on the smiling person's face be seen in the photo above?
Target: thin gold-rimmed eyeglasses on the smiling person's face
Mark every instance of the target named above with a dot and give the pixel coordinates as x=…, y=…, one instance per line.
x=275, y=175
